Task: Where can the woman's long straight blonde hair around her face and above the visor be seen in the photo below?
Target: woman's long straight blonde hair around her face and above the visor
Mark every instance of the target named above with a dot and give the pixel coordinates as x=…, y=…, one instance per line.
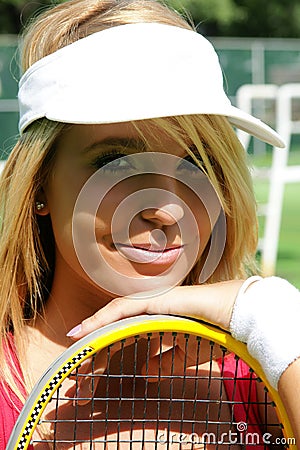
x=27, y=245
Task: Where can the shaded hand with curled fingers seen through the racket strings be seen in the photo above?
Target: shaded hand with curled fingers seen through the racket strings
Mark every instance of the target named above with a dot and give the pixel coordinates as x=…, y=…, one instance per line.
x=156, y=357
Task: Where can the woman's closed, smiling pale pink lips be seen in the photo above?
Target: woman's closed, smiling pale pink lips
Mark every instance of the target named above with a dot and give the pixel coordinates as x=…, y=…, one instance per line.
x=146, y=254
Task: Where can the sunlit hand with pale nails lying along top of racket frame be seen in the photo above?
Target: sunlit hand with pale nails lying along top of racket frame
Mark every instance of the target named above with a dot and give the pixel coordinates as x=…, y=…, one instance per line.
x=213, y=303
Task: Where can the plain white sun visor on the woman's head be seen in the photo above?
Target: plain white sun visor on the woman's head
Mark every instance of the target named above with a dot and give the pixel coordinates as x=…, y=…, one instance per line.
x=132, y=72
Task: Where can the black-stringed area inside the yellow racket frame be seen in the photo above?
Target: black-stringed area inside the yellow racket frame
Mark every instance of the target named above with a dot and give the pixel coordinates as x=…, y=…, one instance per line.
x=158, y=399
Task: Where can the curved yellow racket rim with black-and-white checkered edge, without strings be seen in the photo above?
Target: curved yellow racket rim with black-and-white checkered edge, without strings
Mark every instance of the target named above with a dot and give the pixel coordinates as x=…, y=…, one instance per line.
x=110, y=334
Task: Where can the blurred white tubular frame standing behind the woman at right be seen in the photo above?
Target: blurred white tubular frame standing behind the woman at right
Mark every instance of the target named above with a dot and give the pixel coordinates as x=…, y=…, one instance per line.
x=280, y=172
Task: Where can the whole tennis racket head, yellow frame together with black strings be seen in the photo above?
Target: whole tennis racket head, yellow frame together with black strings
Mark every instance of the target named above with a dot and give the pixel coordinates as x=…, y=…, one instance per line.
x=148, y=328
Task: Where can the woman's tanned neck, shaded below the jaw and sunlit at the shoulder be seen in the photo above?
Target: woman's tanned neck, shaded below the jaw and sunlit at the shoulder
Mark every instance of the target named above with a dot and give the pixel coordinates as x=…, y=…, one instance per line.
x=72, y=299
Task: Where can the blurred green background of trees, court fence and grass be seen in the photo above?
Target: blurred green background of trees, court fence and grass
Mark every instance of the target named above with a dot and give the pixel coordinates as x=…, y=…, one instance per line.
x=257, y=42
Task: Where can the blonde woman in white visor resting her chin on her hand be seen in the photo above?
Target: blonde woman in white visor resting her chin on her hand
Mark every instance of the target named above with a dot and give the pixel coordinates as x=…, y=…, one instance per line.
x=127, y=178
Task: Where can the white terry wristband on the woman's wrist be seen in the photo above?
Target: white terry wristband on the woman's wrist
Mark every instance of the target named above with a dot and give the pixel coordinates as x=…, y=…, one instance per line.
x=266, y=317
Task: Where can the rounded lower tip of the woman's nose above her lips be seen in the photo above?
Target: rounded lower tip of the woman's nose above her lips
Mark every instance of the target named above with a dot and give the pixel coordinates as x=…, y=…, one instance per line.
x=168, y=214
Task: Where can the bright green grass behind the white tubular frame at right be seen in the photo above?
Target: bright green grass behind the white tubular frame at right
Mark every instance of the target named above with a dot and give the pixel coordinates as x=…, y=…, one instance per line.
x=288, y=260
